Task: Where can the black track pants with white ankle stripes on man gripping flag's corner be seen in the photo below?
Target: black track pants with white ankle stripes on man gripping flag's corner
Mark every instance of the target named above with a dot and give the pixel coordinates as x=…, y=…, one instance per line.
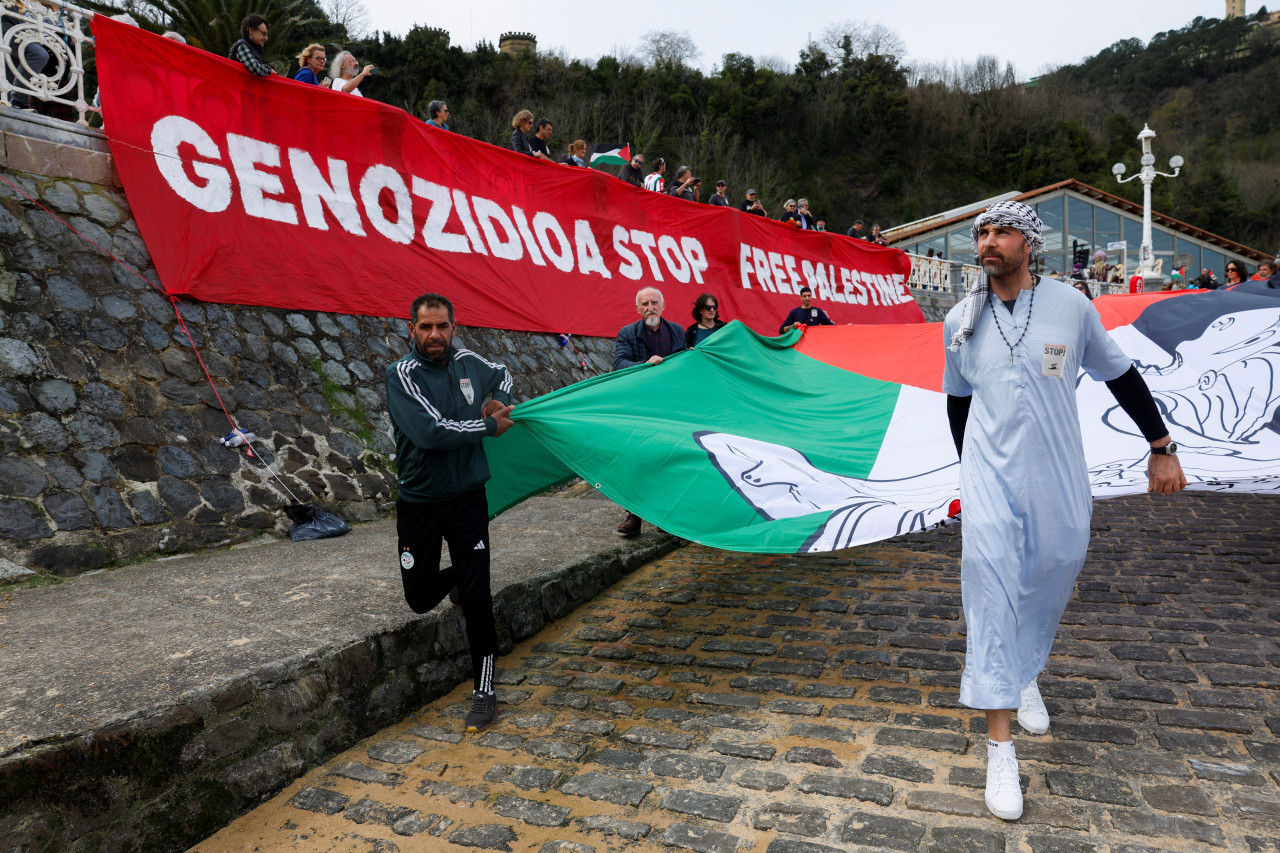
x=464, y=524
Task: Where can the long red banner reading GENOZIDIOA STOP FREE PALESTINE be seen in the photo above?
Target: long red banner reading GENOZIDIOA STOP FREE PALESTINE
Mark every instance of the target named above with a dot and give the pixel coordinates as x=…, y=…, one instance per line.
x=267, y=191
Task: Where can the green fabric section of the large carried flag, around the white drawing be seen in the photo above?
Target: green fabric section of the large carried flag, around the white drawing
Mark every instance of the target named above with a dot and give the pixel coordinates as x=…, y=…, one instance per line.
x=632, y=435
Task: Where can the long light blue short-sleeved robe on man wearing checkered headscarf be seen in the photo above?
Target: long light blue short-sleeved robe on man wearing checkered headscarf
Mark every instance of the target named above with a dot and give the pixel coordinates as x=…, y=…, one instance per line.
x=1025, y=489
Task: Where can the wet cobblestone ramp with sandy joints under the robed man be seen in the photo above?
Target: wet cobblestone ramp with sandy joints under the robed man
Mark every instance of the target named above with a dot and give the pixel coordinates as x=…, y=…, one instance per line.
x=719, y=703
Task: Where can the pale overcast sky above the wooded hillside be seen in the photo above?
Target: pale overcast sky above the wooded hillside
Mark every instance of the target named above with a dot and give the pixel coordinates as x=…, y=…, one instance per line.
x=1034, y=34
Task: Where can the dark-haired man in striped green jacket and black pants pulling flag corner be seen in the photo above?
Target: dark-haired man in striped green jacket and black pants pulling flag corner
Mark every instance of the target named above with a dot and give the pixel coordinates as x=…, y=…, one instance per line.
x=436, y=396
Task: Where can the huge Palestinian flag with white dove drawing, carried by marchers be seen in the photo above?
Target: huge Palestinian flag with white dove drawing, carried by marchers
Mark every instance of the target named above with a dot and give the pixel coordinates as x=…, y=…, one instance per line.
x=838, y=436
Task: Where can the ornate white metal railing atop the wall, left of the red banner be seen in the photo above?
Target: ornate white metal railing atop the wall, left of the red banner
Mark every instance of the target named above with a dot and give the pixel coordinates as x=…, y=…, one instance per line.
x=42, y=51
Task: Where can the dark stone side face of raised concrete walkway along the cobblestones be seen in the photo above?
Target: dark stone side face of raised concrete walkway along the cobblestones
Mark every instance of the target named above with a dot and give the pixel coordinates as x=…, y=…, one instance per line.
x=175, y=773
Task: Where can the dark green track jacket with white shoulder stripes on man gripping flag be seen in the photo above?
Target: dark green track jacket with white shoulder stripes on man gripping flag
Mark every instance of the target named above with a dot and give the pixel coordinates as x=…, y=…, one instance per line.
x=438, y=431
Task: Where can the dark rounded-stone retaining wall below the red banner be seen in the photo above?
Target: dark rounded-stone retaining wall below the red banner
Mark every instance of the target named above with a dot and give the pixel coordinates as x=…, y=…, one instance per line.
x=109, y=430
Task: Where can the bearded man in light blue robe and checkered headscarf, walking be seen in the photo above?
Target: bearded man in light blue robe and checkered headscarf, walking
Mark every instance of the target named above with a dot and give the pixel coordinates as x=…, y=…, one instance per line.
x=1017, y=346
